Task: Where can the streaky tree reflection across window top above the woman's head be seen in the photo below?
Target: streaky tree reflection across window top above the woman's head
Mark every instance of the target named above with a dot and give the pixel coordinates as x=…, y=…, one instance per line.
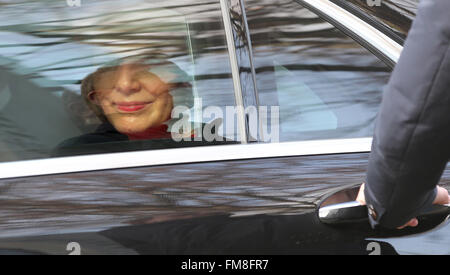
x=162, y=34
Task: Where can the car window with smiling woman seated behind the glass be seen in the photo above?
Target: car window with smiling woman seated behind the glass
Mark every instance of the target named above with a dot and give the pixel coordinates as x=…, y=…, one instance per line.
x=82, y=77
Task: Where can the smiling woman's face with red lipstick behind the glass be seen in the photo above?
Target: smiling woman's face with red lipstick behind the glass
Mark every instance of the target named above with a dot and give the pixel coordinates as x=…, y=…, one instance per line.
x=132, y=98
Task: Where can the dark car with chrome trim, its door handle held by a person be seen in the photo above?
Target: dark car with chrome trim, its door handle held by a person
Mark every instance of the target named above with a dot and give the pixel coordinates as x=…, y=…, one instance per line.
x=277, y=101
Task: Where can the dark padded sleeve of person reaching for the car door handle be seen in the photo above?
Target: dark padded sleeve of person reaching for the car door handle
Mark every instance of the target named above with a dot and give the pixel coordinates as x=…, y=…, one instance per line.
x=411, y=148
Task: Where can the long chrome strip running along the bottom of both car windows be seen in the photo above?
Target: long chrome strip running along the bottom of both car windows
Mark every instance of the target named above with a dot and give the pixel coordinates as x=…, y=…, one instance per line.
x=108, y=161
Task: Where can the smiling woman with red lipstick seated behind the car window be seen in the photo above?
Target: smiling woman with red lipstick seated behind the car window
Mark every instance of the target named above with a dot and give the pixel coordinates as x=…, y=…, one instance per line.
x=135, y=102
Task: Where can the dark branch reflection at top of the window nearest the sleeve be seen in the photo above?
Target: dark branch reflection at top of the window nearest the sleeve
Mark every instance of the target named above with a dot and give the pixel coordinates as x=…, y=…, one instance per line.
x=291, y=29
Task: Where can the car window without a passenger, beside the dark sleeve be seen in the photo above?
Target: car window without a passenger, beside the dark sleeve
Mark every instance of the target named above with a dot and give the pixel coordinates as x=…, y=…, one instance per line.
x=324, y=84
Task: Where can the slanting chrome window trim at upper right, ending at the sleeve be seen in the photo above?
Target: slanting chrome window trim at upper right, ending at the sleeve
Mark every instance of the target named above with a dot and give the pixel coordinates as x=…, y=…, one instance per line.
x=372, y=36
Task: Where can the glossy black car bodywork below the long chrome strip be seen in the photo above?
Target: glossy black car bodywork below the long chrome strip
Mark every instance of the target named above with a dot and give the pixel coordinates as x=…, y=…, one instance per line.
x=259, y=206
